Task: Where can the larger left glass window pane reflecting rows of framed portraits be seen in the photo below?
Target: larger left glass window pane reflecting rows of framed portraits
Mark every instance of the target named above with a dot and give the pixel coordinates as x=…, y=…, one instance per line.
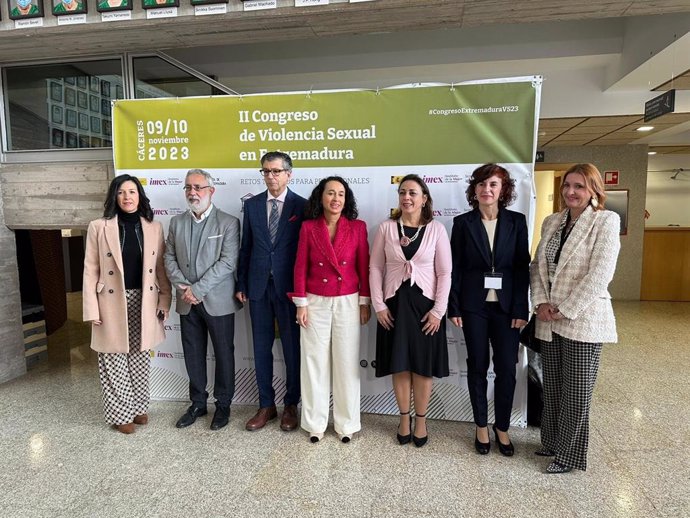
x=61, y=106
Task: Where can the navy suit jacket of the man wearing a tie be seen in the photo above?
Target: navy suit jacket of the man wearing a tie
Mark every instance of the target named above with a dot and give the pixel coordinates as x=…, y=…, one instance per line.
x=260, y=258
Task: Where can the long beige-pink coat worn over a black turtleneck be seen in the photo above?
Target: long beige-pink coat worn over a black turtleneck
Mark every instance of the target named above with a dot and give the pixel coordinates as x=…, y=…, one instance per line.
x=104, y=286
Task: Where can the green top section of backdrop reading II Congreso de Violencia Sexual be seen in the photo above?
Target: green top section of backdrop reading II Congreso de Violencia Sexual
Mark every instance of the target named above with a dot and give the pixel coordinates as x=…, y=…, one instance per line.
x=488, y=122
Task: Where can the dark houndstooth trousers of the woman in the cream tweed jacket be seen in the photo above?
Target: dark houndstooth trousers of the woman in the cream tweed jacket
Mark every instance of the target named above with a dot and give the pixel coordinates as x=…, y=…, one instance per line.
x=570, y=371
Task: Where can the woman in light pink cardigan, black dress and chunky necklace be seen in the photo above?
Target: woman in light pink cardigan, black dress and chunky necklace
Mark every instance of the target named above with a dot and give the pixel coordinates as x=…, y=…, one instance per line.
x=410, y=275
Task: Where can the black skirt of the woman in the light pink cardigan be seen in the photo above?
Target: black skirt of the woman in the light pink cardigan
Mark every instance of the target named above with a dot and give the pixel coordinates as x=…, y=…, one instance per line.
x=406, y=347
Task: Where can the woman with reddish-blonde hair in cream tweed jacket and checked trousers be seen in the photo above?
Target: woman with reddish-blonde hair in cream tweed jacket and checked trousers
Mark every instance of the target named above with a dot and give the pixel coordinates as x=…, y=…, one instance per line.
x=570, y=274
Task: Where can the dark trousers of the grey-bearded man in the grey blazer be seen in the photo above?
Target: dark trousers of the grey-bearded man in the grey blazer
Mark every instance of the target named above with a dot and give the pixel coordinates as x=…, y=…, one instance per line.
x=195, y=329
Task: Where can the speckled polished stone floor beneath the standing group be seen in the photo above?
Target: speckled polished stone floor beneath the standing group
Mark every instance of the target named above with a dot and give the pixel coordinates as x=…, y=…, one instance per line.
x=57, y=457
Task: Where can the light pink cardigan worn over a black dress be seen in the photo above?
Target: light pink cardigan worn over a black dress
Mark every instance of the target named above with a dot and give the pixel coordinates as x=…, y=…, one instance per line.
x=429, y=268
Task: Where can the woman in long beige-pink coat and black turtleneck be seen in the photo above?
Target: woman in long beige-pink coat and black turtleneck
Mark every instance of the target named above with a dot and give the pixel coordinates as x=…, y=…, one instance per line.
x=127, y=297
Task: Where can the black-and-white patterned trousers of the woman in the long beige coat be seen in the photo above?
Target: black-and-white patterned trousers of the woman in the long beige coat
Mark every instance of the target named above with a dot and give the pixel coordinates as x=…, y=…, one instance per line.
x=125, y=376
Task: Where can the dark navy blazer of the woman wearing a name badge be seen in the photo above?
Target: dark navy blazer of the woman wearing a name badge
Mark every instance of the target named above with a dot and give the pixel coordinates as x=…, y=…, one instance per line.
x=472, y=259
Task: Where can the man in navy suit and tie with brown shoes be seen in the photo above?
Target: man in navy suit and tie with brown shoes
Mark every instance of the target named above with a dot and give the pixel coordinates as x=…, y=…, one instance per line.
x=270, y=232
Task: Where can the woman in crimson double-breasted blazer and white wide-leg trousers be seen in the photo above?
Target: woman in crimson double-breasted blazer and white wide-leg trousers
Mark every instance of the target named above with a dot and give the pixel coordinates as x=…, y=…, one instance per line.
x=332, y=299
